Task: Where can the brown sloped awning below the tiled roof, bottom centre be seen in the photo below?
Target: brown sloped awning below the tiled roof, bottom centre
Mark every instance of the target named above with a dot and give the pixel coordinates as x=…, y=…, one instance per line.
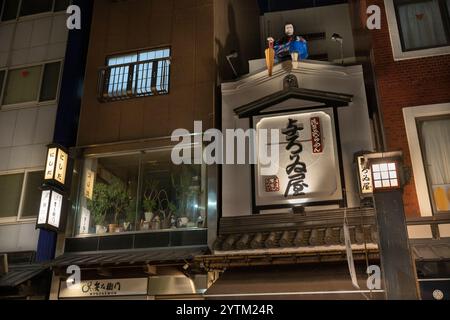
x=309, y=282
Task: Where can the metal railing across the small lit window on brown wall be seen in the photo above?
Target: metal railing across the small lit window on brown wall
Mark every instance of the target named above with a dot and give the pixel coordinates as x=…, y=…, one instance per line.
x=132, y=80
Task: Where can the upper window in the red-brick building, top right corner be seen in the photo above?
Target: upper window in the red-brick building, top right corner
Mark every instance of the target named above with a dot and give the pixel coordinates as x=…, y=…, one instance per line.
x=423, y=24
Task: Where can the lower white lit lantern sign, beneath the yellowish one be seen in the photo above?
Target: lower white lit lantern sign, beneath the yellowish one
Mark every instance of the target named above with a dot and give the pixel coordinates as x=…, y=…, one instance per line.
x=50, y=210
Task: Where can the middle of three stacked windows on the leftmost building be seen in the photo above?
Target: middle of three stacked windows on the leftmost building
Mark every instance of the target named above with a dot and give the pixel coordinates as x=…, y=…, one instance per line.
x=32, y=84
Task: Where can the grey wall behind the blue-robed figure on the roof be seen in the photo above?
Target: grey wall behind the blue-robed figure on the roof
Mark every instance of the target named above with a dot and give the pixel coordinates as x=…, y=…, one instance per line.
x=328, y=19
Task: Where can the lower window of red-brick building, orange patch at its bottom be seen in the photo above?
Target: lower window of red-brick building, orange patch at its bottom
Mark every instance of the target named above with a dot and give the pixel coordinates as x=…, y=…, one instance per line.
x=434, y=136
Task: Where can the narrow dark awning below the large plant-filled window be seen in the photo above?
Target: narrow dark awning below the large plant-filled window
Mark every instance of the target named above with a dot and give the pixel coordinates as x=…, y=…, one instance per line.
x=129, y=257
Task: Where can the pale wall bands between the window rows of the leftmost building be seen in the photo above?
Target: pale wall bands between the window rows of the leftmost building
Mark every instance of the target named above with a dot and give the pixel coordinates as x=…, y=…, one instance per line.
x=25, y=130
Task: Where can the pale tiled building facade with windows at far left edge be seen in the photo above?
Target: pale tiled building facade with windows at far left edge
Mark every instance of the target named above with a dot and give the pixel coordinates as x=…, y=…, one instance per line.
x=33, y=39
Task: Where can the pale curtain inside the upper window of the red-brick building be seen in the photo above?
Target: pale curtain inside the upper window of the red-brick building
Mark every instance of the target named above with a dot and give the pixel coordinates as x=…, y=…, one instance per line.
x=421, y=25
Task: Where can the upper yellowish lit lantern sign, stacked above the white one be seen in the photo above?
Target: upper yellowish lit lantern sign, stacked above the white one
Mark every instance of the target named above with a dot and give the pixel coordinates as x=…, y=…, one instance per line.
x=56, y=165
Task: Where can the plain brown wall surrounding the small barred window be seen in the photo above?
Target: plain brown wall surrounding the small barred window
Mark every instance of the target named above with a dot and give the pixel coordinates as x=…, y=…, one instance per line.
x=120, y=27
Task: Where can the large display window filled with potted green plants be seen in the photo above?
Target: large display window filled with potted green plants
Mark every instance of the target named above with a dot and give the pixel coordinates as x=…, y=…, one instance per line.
x=142, y=191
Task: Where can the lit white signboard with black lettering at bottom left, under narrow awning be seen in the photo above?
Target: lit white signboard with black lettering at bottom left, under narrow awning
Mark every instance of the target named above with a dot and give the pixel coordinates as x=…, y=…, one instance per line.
x=104, y=288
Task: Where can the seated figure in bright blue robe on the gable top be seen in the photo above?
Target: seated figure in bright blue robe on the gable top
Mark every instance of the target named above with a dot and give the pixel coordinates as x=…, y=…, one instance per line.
x=290, y=46
